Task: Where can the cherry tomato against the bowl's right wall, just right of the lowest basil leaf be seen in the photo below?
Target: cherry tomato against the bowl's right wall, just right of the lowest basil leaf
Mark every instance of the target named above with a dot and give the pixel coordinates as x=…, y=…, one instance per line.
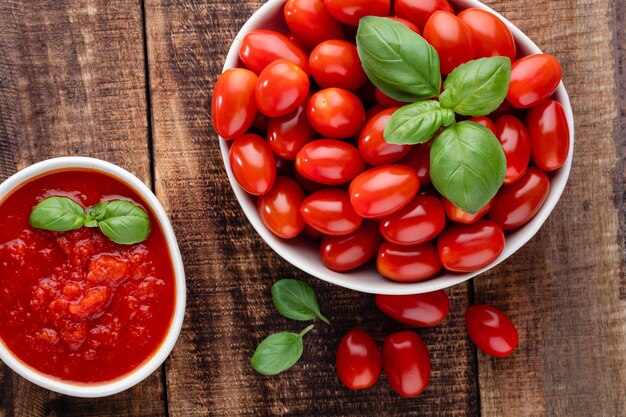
x=516, y=204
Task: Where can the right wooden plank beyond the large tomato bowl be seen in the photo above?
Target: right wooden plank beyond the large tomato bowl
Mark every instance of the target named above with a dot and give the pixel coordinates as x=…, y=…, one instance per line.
x=565, y=288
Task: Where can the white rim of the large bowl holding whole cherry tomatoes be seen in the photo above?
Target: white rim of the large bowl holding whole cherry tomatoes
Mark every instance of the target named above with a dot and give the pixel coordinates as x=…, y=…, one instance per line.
x=264, y=15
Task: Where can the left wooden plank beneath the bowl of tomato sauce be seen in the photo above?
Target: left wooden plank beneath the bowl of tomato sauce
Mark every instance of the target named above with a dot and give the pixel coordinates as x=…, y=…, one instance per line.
x=73, y=83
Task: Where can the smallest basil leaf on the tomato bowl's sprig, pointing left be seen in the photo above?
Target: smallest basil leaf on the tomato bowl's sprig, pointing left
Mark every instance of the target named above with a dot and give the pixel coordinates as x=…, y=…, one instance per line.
x=417, y=123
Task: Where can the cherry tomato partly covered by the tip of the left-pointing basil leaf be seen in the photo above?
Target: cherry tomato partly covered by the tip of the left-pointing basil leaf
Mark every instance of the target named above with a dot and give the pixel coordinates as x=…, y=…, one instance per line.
x=372, y=145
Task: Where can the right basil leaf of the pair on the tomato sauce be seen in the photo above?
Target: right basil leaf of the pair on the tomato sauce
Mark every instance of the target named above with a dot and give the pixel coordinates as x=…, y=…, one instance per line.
x=122, y=221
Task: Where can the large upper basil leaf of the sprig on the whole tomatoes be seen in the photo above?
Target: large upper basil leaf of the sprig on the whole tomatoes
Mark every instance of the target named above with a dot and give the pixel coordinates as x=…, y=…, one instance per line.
x=397, y=60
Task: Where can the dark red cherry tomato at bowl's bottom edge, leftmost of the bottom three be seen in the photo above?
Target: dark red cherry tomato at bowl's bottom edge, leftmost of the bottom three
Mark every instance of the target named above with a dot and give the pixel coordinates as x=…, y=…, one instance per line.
x=344, y=253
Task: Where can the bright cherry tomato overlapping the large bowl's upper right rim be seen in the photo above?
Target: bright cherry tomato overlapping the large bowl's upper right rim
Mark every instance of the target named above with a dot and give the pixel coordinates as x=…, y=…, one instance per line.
x=533, y=80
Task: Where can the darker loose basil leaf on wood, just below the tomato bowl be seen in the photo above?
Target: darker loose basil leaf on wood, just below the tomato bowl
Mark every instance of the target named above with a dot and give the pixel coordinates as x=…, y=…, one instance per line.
x=296, y=300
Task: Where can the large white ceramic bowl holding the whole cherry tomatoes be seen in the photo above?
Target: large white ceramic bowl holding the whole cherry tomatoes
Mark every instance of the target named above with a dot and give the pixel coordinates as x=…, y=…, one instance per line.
x=304, y=254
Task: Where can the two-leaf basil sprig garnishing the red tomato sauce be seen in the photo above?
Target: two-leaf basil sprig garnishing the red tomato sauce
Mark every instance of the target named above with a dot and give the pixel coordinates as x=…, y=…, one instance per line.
x=121, y=221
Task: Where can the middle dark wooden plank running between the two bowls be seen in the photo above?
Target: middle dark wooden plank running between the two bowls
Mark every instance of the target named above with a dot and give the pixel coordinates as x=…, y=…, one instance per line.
x=230, y=269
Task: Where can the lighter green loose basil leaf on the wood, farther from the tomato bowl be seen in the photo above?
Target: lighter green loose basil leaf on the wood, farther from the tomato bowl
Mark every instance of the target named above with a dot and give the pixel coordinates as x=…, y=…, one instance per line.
x=278, y=352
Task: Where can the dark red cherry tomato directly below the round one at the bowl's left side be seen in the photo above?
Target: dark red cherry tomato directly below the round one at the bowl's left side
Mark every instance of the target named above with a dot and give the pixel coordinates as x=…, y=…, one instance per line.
x=287, y=134
